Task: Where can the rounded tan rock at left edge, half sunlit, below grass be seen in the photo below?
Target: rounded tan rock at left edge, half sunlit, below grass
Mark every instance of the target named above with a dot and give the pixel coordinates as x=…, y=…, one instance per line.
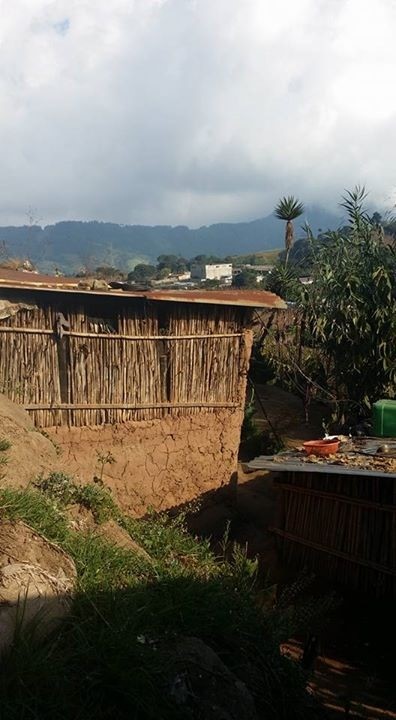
x=36, y=583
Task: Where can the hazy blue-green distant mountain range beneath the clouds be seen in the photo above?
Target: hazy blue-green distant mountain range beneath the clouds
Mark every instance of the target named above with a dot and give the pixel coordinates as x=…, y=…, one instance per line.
x=72, y=245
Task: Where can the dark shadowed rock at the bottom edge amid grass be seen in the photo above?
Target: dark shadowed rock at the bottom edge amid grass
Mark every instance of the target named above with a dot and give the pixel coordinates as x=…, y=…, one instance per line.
x=205, y=687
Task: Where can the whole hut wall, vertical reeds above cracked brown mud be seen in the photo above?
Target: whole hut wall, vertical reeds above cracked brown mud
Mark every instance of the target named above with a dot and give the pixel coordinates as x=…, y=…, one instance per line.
x=157, y=387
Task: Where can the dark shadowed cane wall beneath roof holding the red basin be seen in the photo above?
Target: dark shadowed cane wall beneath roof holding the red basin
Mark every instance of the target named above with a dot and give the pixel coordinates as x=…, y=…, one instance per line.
x=342, y=527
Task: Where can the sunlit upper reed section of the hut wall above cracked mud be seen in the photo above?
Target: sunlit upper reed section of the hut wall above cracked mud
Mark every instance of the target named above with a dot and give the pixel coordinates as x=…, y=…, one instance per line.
x=140, y=364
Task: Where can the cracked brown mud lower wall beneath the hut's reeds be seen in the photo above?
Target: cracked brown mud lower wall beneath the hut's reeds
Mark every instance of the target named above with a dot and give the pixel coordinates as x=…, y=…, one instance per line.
x=157, y=463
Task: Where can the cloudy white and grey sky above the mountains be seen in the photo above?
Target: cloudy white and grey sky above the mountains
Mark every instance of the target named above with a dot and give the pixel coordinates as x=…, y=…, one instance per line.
x=188, y=112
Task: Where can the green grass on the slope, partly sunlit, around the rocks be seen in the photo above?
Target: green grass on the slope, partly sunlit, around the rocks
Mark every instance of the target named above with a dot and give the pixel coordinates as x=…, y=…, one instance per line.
x=112, y=657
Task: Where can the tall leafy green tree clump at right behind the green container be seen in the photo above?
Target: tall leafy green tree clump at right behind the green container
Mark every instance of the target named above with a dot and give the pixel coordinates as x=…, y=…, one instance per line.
x=338, y=344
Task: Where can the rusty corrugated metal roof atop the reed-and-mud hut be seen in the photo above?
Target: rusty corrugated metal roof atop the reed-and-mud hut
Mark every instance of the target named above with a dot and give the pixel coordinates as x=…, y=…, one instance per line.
x=16, y=279
